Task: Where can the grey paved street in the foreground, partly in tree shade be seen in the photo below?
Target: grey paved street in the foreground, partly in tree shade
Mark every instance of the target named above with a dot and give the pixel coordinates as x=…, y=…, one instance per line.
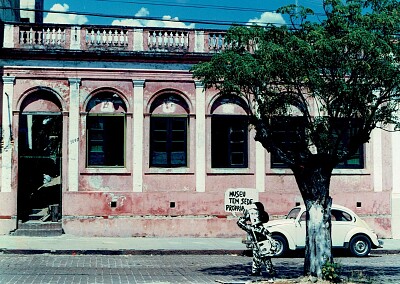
x=51, y=268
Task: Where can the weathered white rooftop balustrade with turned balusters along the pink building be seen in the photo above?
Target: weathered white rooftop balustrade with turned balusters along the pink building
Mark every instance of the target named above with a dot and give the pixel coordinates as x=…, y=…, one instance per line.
x=108, y=38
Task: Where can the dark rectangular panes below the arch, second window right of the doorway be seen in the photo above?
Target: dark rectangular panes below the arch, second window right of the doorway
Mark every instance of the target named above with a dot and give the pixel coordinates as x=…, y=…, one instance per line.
x=168, y=141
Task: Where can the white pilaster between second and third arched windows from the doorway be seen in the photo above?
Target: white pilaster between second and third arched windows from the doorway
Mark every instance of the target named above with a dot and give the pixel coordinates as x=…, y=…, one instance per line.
x=200, y=137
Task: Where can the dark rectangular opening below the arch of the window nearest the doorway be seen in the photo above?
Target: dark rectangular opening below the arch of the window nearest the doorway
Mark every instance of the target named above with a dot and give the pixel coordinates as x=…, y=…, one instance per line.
x=105, y=140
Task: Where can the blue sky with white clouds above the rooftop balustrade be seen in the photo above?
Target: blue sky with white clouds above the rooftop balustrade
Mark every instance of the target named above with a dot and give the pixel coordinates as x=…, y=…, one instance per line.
x=206, y=14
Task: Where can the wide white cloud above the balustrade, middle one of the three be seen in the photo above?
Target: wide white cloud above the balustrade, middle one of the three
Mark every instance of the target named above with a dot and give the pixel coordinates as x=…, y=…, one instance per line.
x=166, y=22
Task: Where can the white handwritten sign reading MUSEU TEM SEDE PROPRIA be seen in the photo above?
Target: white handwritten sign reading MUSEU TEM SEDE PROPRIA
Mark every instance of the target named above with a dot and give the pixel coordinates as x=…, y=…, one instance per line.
x=236, y=199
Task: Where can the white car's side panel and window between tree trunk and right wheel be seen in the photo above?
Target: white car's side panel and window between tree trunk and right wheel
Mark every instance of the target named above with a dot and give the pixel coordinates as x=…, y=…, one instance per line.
x=342, y=223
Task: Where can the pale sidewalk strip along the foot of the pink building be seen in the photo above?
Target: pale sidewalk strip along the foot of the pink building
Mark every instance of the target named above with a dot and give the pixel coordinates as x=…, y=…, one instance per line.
x=67, y=244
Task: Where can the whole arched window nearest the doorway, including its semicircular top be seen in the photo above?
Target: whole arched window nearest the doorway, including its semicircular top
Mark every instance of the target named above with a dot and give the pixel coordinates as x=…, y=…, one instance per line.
x=105, y=125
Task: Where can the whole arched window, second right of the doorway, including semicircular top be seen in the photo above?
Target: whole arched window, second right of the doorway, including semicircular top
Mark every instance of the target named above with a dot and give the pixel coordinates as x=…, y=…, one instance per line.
x=168, y=132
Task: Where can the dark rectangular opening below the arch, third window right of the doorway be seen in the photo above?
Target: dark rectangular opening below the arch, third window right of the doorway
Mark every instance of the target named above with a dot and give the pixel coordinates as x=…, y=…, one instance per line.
x=229, y=141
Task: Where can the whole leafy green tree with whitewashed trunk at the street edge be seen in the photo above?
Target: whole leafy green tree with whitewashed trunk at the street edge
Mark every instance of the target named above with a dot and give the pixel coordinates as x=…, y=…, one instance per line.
x=329, y=82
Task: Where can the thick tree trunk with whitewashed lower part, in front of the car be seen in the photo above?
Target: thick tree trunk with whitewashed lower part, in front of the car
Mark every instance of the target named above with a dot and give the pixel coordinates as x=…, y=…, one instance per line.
x=314, y=186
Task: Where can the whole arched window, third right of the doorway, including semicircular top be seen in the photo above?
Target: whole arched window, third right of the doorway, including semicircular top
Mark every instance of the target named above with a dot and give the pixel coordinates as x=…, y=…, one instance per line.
x=229, y=133
